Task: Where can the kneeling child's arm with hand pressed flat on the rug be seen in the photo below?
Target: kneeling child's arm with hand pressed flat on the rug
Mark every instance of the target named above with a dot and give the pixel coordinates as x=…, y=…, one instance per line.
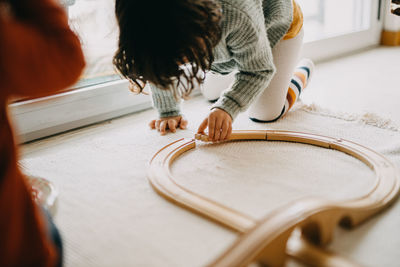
x=170, y=117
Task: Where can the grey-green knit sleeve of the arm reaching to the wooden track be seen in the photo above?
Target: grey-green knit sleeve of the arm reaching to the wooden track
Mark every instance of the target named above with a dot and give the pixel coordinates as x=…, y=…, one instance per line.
x=251, y=51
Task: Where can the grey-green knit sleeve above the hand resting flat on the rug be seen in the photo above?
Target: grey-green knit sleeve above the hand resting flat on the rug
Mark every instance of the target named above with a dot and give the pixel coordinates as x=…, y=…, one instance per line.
x=165, y=102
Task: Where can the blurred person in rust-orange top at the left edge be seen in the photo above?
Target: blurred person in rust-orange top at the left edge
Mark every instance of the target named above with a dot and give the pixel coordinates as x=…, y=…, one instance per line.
x=39, y=55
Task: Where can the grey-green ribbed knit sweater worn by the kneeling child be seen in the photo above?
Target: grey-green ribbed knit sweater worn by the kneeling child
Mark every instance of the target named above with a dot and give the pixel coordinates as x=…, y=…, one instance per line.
x=250, y=29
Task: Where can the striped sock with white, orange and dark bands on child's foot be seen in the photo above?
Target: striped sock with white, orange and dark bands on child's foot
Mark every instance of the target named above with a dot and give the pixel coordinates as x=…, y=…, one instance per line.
x=299, y=82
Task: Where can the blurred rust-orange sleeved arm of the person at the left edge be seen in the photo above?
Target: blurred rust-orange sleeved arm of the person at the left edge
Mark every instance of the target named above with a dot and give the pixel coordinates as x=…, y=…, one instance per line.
x=39, y=53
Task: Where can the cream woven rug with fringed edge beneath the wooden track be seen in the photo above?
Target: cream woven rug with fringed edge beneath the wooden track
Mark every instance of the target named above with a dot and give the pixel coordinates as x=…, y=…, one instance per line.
x=110, y=216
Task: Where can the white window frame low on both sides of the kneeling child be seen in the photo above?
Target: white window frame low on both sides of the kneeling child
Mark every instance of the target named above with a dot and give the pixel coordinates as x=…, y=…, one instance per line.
x=35, y=119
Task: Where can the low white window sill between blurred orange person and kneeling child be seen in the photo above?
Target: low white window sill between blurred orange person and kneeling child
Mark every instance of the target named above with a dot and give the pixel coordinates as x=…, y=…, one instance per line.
x=47, y=116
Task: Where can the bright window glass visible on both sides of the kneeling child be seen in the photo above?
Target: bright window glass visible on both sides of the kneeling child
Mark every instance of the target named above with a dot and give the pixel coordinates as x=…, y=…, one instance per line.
x=94, y=21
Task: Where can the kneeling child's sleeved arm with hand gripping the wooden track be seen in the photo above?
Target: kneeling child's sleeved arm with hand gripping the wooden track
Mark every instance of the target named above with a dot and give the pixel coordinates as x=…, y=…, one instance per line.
x=250, y=48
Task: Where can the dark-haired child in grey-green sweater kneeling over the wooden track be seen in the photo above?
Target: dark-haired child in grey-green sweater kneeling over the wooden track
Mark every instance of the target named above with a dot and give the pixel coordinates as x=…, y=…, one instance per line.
x=260, y=39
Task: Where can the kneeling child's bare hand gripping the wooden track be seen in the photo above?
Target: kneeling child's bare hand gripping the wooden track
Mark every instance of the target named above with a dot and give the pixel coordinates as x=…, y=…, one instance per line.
x=219, y=124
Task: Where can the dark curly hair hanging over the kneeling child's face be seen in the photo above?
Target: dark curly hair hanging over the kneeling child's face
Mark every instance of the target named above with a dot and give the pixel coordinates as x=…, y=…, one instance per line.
x=158, y=36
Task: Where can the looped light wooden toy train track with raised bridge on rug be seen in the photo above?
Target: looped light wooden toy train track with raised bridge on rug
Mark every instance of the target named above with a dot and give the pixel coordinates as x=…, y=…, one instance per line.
x=266, y=240
